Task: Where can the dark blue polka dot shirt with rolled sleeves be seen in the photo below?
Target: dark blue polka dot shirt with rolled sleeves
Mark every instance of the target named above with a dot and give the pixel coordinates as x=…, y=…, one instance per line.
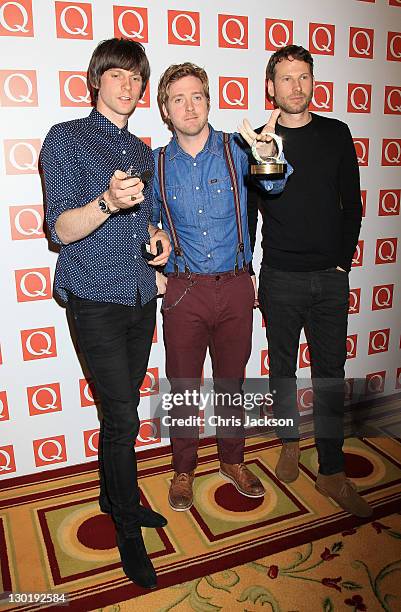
x=78, y=159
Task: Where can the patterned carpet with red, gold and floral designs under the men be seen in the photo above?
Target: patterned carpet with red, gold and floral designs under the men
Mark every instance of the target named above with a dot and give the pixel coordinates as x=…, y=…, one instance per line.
x=53, y=537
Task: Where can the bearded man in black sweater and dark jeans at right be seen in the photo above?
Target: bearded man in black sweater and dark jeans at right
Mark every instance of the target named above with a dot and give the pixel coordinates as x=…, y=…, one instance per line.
x=310, y=232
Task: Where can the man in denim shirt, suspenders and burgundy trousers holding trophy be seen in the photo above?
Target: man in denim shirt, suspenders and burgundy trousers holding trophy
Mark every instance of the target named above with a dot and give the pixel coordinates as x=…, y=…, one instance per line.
x=208, y=304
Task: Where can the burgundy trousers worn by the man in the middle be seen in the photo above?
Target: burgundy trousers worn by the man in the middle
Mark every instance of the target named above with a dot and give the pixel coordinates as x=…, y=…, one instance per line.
x=201, y=312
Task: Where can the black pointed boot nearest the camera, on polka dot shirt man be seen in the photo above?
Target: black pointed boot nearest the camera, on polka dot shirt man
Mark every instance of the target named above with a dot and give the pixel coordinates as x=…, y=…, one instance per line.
x=135, y=561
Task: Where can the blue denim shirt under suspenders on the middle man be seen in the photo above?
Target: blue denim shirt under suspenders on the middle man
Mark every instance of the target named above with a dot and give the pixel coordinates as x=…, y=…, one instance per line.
x=200, y=198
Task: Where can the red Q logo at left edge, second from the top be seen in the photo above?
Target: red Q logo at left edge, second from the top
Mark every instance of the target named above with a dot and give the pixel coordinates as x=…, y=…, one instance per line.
x=18, y=88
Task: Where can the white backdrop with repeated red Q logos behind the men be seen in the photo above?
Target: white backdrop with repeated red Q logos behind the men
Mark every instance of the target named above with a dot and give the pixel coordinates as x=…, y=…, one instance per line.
x=47, y=414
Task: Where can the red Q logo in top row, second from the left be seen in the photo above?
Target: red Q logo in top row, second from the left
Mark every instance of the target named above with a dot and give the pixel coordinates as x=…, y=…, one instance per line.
x=74, y=20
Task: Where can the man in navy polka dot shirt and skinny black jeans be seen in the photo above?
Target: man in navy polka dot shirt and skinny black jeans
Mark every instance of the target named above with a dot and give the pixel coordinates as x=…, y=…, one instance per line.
x=100, y=217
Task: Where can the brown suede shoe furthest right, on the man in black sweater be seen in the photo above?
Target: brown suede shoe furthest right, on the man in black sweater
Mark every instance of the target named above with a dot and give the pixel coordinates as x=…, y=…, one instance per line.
x=344, y=492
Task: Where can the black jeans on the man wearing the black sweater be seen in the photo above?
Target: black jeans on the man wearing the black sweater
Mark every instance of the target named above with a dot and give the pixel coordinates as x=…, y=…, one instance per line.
x=318, y=302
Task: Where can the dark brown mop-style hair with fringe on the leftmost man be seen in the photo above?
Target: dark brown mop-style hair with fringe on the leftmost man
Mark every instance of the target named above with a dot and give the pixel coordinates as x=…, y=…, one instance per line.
x=116, y=53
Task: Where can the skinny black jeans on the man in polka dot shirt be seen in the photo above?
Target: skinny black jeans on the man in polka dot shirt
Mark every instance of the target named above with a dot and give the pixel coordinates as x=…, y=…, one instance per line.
x=115, y=341
